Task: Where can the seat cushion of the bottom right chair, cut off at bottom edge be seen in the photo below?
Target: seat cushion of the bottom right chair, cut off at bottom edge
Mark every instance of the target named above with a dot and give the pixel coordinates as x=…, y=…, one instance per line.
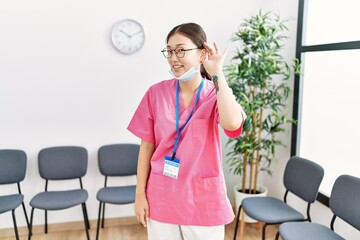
x=306, y=230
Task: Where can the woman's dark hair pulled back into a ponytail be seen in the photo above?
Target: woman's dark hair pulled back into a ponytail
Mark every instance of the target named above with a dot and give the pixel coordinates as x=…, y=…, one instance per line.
x=197, y=35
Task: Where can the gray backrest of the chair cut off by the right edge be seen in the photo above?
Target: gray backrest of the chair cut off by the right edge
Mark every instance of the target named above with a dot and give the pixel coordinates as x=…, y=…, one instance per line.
x=345, y=199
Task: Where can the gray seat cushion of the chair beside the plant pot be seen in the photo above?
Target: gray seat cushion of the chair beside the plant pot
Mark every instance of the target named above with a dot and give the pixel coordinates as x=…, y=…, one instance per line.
x=270, y=210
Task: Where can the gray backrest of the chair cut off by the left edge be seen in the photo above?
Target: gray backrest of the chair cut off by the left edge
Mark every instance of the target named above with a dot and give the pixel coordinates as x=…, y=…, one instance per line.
x=12, y=166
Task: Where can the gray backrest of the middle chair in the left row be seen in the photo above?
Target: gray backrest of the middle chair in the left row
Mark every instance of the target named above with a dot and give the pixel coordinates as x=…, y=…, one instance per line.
x=63, y=162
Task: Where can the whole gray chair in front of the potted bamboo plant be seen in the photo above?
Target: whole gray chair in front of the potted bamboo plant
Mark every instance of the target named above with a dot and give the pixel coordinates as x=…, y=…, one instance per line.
x=302, y=178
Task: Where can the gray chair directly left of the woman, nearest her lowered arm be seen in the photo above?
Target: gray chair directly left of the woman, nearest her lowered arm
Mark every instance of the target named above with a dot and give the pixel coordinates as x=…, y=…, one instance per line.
x=116, y=160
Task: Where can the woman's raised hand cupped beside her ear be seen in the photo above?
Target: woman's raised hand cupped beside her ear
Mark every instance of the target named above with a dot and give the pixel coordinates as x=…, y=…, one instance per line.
x=213, y=64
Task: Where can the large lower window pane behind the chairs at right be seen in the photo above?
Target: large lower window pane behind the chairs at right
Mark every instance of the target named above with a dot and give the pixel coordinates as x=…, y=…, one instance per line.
x=329, y=115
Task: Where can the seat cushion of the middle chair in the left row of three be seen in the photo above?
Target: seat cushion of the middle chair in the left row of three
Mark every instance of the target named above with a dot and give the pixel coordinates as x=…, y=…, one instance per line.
x=57, y=200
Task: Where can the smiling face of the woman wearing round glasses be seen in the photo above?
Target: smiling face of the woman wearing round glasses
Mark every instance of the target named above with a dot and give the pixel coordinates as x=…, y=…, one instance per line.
x=192, y=58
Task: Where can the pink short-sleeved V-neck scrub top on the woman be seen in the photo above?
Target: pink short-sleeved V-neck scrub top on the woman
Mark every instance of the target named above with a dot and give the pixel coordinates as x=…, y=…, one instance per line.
x=198, y=196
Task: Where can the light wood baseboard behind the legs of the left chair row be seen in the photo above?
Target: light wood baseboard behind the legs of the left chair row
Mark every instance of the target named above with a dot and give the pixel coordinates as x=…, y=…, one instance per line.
x=68, y=226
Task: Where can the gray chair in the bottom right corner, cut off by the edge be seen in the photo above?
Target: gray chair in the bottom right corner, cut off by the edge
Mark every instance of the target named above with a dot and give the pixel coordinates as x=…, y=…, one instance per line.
x=344, y=202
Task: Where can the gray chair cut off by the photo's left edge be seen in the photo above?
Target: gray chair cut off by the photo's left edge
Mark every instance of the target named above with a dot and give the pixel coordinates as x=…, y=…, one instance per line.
x=13, y=164
